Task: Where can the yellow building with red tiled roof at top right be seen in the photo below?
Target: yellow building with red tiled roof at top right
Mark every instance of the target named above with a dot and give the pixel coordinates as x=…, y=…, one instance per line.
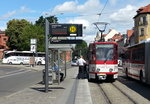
x=142, y=24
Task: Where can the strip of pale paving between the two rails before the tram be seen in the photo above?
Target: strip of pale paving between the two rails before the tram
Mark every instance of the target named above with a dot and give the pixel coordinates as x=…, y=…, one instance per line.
x=113, y=95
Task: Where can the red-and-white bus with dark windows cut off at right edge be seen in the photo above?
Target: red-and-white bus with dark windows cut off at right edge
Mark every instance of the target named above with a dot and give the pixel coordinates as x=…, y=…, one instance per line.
x=136, y=62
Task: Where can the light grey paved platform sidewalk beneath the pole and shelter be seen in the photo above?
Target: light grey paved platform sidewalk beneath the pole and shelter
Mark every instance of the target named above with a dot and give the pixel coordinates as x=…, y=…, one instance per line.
x=70, y=91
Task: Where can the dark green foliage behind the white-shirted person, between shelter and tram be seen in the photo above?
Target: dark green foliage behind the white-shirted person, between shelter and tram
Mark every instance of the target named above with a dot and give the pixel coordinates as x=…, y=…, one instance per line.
x=81, y=49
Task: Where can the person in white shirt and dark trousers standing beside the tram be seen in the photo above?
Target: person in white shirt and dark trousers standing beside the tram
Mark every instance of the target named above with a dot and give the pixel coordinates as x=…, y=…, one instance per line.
x=81, y=62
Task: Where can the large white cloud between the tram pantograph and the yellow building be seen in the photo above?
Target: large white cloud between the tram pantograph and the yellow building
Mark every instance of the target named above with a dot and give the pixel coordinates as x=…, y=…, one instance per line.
x=123, y=18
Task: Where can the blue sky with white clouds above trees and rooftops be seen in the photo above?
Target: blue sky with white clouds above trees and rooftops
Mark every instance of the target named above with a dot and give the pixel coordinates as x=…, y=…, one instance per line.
x=118, y=13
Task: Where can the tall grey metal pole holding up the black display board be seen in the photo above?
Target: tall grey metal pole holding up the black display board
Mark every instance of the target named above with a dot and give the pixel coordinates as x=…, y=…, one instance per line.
x=46, y=54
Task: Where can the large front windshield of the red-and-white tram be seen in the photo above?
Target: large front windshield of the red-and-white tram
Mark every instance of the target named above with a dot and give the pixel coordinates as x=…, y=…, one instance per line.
x=104, y=52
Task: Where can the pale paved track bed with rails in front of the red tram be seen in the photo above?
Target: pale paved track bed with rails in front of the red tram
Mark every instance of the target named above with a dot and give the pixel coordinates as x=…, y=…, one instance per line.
x=114, y=93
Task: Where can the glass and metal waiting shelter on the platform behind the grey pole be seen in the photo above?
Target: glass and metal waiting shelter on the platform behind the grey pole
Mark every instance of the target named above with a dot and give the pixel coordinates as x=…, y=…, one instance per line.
x=57, y=56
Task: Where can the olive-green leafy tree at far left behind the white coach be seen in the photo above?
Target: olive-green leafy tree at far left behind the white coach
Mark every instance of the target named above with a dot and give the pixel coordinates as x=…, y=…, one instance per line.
x=14, y=32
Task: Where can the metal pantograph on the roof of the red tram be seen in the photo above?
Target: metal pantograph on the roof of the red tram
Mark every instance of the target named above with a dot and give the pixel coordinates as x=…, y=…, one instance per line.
x=103, y=24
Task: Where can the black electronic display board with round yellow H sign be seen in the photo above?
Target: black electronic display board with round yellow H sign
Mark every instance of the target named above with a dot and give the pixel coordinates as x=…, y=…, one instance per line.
x=66, y=30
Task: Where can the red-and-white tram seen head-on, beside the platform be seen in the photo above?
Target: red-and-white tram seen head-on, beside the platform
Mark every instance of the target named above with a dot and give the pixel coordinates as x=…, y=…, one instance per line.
x=103, y=62
